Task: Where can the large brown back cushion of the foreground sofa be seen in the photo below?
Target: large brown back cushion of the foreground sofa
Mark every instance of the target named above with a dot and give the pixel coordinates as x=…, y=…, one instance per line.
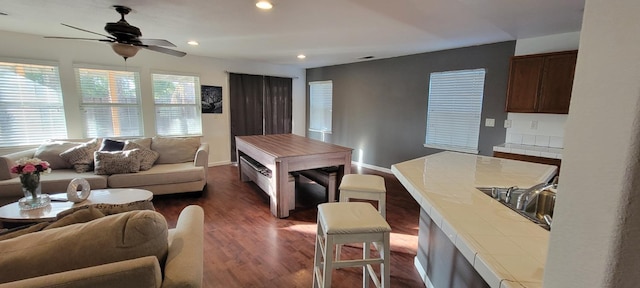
x=109, y=239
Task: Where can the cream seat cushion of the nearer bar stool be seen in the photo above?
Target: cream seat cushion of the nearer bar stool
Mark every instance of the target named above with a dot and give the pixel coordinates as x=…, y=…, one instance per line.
x=351, y=217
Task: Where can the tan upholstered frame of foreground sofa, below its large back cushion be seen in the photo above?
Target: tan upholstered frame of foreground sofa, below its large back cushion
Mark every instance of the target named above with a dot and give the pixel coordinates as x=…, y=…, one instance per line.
x=139, y=272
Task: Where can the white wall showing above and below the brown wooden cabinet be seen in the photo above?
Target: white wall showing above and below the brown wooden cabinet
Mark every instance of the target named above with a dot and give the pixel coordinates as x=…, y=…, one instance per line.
x=548, y=125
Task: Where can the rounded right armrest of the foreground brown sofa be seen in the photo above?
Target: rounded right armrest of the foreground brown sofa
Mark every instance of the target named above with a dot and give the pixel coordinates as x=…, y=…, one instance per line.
x=183, y=267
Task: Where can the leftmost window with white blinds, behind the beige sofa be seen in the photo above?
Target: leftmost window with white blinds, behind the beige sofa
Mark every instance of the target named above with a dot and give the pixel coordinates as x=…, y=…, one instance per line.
x=31, y=107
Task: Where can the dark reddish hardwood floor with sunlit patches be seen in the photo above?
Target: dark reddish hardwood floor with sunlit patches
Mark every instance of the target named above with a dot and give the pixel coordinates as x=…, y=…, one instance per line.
x=245, y=246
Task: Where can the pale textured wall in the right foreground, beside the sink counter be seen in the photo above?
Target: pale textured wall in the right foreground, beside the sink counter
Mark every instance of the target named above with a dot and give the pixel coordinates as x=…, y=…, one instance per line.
x=596, y=227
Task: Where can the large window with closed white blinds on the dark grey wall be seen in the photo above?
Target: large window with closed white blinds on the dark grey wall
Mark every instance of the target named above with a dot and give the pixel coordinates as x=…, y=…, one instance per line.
x=453, y=112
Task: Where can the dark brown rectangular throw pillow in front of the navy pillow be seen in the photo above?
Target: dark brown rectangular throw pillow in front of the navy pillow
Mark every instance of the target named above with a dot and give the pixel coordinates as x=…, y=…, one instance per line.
x=117, y=162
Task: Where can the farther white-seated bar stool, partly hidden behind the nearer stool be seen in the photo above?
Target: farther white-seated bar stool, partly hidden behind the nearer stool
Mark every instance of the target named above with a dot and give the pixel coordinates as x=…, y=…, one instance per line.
x=361, y=186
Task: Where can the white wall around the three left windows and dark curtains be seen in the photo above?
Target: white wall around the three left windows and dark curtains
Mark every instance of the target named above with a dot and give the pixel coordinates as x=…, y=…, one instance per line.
x=215, y=127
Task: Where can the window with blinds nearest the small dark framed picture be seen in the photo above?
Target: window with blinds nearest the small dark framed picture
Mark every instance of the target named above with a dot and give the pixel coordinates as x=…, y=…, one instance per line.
x=177, y=100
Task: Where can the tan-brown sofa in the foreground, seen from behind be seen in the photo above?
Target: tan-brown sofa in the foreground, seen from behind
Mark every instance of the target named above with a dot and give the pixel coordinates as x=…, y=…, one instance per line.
x=130, y=249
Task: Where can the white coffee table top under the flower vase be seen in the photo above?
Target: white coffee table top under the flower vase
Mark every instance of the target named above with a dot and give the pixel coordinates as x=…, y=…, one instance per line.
x=12, y=213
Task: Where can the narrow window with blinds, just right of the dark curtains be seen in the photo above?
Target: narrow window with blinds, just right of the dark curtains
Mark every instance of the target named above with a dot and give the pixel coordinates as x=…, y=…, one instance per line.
x=320, y=107
